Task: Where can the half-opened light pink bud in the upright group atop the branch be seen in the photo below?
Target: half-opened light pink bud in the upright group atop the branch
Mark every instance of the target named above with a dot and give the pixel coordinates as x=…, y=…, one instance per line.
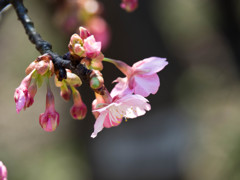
x=92, y=48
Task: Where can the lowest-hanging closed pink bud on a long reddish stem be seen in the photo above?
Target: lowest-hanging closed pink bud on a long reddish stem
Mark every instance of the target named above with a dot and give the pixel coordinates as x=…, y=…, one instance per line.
x=49, y=120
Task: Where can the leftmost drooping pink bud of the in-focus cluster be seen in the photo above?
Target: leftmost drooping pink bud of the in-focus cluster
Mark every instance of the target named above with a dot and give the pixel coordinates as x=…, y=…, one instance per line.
x=21, y=93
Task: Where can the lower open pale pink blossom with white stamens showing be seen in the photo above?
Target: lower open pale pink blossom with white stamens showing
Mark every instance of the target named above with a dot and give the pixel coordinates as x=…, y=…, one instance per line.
x=111, y=114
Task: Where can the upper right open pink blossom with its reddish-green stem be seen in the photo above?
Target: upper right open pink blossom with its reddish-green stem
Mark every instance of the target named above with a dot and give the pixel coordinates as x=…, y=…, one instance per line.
x=141, y=78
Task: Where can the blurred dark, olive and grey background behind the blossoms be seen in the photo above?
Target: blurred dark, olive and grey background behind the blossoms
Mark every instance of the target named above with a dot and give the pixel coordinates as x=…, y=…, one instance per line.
x=193, y=129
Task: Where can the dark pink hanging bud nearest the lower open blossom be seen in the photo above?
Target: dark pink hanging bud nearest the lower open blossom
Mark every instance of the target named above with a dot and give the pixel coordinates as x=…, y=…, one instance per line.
x=79, y=109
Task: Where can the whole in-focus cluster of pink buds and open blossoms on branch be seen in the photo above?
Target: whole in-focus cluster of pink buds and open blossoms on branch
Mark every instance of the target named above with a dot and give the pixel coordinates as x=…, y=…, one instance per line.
x=126, y=100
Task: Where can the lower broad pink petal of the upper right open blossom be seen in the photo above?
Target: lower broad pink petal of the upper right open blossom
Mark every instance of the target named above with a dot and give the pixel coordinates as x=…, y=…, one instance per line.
x=145, y=85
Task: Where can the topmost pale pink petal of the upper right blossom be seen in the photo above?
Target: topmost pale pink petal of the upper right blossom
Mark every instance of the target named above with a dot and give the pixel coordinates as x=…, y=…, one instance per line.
x=150, y=65
